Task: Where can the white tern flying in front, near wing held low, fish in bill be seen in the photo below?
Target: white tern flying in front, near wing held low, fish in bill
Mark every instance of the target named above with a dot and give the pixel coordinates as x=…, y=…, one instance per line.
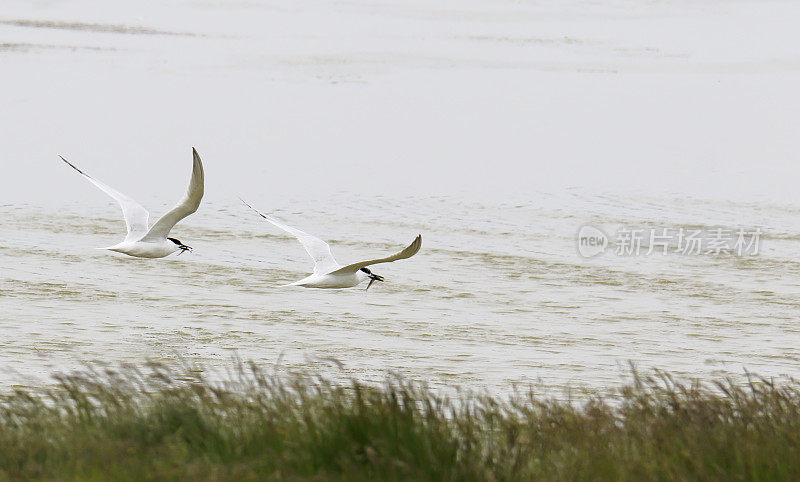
x=328, y=273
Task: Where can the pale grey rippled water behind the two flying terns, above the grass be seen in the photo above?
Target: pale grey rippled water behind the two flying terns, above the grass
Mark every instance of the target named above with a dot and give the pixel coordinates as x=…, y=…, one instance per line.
x=495, y=129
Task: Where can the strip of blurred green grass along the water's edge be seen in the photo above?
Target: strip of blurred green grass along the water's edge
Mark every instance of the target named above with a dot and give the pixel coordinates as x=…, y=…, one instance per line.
x=157, y=422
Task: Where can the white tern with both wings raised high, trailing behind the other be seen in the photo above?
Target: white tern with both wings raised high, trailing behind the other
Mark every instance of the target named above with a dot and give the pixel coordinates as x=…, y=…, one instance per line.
x=154, y=242
